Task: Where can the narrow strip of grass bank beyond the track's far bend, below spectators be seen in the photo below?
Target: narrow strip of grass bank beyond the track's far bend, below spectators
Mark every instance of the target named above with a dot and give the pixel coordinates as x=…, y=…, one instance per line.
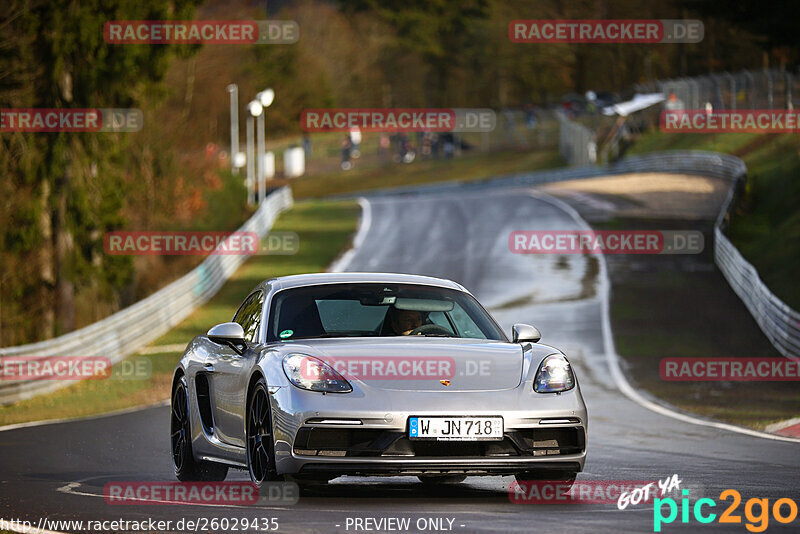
x=467, y=167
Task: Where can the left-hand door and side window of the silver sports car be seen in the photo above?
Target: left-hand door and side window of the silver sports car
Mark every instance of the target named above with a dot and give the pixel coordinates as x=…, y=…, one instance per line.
x=229, y=371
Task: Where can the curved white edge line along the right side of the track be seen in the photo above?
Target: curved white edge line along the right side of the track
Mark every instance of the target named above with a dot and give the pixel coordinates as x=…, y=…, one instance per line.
x=611, y=352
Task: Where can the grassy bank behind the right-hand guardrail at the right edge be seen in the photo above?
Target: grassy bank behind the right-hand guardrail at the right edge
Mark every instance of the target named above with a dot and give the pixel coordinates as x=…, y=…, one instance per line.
x=766, y=225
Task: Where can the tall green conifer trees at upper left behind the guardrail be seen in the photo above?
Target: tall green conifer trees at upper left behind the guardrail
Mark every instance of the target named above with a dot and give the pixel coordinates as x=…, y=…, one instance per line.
x=67, y=191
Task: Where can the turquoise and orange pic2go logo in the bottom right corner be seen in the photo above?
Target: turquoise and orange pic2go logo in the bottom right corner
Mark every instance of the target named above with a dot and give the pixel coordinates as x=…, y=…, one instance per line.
x=758, y=521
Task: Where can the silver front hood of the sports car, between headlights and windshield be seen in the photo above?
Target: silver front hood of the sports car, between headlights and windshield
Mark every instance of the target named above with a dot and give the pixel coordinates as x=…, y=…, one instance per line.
x=420, y=363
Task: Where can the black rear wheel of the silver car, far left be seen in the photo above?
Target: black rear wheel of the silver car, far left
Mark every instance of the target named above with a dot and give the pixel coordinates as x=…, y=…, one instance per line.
x=187, y=469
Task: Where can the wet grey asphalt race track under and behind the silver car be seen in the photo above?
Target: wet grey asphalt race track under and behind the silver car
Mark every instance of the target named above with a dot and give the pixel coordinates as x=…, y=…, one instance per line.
x=58, y=471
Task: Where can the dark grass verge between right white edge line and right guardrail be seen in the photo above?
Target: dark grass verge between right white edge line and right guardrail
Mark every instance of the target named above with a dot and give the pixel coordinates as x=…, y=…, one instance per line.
x=673, y=329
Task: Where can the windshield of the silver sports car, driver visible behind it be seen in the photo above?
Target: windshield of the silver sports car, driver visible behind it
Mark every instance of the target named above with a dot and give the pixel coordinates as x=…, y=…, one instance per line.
x=377, y=310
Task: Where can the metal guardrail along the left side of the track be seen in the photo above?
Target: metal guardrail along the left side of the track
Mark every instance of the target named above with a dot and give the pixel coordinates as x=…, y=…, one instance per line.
x=132, y=328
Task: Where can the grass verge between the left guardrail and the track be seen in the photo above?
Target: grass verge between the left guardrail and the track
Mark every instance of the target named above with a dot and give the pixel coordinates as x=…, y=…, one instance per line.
x=324, y=229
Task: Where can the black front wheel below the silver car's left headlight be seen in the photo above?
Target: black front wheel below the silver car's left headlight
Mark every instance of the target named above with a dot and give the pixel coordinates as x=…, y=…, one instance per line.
x=259, y=438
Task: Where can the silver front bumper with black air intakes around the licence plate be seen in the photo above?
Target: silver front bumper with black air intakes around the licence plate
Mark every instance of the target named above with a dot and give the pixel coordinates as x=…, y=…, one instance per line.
x=331, y=435
